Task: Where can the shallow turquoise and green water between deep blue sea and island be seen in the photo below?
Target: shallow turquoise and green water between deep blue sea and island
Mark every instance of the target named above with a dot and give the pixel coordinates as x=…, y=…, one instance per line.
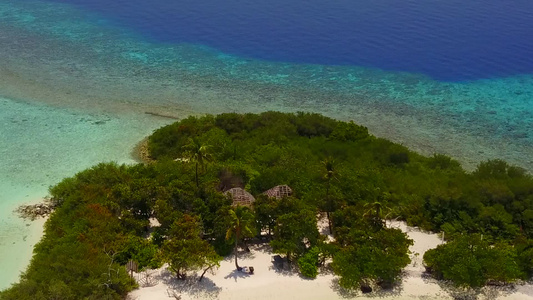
x=81, y=87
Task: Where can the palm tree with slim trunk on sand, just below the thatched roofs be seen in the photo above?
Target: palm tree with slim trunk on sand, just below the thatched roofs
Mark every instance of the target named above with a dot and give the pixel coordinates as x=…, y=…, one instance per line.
x=241, y=225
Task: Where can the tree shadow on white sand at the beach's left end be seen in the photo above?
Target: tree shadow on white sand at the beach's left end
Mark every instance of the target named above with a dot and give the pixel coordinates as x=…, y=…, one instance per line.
x=206, y=289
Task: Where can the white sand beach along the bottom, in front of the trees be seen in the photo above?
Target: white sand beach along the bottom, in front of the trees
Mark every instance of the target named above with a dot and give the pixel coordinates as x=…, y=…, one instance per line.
x=269, y=283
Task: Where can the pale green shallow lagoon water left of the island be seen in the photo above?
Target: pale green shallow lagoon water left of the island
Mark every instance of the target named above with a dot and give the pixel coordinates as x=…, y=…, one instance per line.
x=40, y=146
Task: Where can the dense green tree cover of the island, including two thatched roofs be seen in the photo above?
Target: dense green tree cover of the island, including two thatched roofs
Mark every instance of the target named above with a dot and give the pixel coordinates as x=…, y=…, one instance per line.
x=313, y=195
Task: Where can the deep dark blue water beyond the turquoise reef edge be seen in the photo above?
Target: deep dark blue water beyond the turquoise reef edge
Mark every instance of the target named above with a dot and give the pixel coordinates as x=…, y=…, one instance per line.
x=451, y=40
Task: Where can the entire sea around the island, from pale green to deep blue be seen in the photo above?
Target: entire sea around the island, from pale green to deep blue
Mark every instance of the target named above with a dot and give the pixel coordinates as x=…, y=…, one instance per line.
x=82, y=81
